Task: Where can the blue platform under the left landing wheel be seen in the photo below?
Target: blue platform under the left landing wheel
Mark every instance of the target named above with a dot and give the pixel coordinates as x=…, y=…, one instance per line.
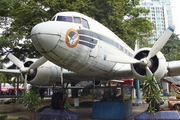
x=50, y=114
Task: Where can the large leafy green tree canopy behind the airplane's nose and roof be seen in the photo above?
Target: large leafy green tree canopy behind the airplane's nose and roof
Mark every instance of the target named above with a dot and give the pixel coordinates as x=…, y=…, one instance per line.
x=22, y=15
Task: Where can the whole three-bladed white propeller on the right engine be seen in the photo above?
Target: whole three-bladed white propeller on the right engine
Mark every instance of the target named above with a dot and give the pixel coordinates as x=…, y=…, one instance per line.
x=144, y=61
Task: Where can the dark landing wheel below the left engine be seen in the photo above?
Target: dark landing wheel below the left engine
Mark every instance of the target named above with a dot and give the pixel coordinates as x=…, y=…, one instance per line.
x=57, y=101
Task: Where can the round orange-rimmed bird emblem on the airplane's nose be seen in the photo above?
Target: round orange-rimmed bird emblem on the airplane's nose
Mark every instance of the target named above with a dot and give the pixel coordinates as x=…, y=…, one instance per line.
x=72, y=38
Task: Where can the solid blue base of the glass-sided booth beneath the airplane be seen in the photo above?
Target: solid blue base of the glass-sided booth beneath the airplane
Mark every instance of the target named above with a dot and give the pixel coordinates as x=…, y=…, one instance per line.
x=112, y=110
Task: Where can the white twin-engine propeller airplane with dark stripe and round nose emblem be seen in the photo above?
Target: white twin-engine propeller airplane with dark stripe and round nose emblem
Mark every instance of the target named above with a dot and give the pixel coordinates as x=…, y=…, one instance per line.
x=87, y=50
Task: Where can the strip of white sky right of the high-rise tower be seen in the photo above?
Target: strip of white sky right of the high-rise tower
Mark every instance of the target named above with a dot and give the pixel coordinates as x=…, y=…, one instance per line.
x=175, y=5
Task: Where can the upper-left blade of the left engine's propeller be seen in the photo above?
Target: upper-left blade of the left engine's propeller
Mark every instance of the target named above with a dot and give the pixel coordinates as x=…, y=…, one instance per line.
x=15, y=60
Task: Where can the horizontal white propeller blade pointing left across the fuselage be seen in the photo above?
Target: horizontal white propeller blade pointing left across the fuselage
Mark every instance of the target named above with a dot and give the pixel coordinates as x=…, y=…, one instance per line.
x=121, y=59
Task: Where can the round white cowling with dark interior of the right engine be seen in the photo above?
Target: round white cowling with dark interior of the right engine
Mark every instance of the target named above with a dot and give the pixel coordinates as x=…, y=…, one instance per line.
x=157, y=65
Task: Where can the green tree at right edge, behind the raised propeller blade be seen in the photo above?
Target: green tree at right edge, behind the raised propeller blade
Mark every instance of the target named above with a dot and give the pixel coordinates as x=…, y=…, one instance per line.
x=171, y=49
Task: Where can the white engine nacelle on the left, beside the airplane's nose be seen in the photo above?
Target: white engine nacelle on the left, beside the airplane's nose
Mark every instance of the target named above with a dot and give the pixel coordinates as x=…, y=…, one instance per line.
x=46, y=74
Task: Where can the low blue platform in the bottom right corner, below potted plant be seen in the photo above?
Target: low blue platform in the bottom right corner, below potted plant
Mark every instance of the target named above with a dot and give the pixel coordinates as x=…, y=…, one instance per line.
x=162, y=115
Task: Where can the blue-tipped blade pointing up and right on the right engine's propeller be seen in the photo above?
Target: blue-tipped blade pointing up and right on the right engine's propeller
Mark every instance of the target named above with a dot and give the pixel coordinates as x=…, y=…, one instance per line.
x=161, y=41
